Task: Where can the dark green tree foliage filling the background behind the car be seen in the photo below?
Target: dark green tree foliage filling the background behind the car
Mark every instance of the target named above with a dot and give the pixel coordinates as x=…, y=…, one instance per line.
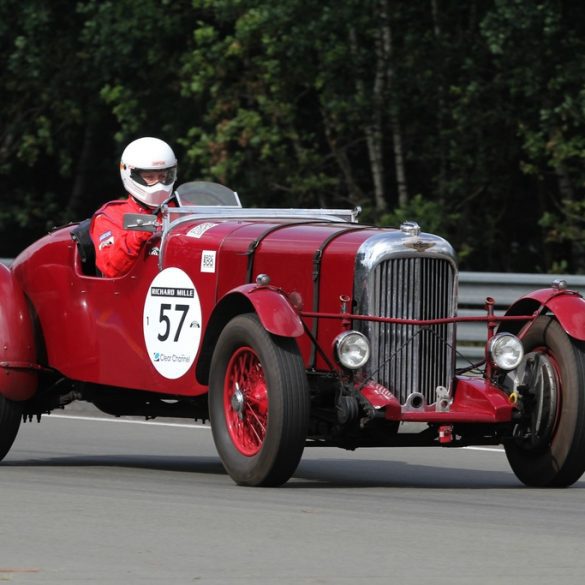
x=467, y=116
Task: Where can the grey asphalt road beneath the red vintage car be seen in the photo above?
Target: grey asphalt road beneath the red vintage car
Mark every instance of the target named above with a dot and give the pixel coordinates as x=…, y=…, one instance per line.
x=105, y=501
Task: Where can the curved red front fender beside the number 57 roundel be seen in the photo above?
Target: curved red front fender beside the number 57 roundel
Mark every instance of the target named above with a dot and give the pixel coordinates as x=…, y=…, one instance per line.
x=274, y=310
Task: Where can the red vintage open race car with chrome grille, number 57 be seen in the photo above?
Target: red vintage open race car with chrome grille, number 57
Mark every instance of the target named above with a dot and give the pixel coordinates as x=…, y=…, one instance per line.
x=286, y=329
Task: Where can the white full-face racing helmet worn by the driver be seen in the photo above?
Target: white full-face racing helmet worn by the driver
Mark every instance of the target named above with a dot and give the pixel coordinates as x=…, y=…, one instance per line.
x=148, y=157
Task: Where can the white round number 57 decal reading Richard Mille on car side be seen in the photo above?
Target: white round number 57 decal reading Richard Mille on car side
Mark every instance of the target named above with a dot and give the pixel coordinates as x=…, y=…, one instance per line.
x=172, y=323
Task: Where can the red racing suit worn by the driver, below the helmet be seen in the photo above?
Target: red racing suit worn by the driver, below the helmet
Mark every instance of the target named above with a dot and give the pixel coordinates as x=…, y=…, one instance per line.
x=116, y=249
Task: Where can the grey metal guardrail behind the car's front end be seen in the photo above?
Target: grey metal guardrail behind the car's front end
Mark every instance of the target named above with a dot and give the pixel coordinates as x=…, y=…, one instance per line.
x=474, y=288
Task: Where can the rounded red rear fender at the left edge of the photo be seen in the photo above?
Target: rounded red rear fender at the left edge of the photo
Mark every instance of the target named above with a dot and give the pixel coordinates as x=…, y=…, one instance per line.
x=18, y=368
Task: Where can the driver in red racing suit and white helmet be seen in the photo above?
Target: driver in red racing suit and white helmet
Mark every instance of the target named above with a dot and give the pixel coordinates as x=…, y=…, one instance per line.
x=149, y=170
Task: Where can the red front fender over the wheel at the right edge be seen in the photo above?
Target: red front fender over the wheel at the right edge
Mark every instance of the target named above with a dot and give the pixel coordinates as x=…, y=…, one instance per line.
x=567, y=306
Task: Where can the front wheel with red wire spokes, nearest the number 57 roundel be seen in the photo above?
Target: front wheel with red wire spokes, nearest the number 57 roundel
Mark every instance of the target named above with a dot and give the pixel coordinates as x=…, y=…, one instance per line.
x=258, y=403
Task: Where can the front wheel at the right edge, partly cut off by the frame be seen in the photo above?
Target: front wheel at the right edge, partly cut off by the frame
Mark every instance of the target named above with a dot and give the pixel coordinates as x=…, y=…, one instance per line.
x=549, y=449
